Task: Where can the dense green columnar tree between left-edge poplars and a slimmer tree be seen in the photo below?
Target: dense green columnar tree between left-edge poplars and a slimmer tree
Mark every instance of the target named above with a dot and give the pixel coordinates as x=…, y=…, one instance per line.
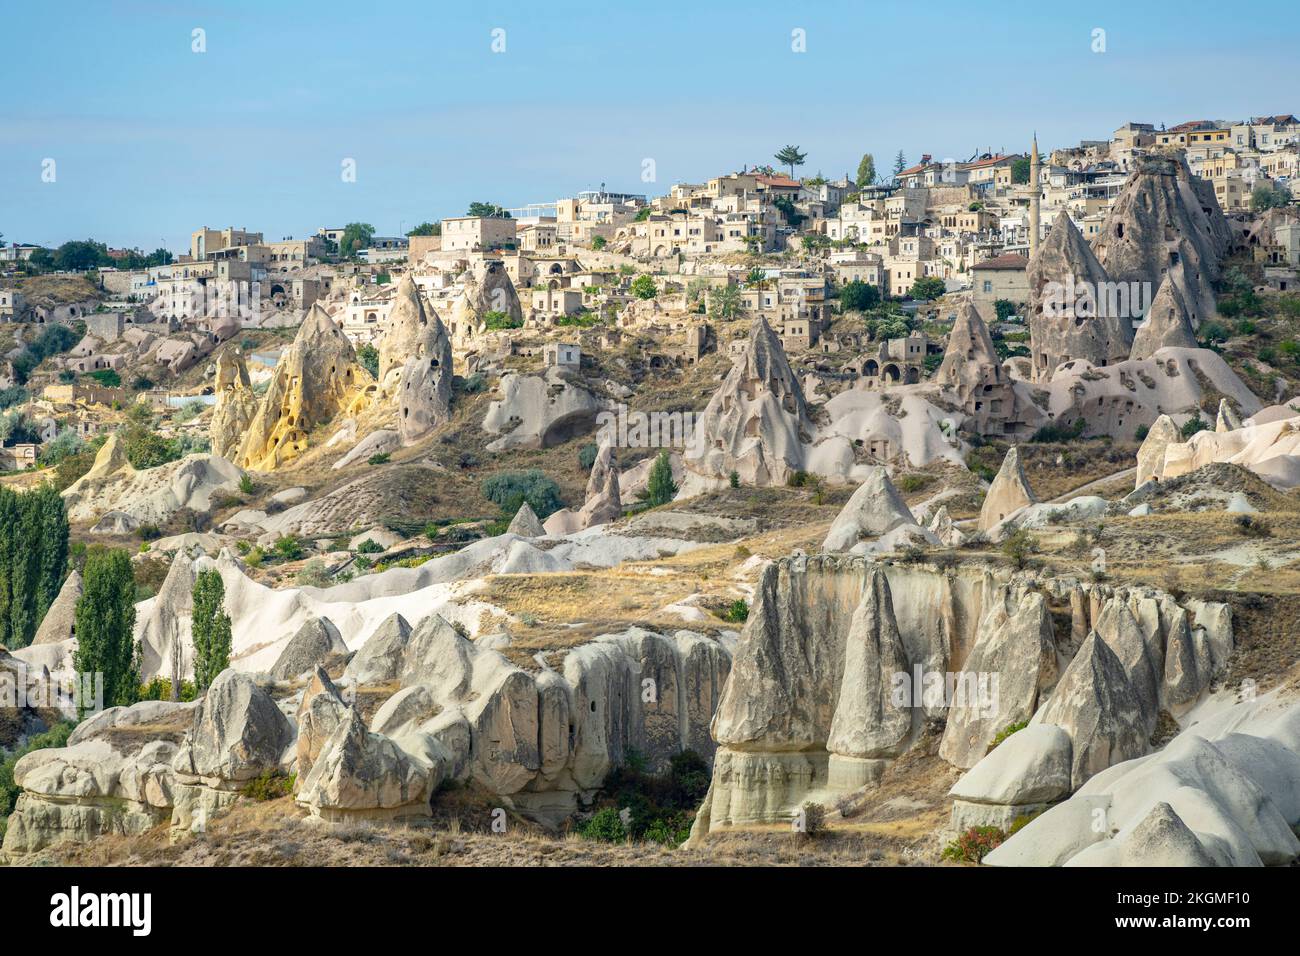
x=106, y=626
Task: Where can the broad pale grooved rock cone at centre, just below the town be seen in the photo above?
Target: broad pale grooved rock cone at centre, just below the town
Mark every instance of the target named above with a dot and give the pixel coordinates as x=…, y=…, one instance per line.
x=757, y=423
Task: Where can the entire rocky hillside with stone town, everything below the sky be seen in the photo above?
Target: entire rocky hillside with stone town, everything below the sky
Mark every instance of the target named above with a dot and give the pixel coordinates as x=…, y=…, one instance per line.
x=609, y=529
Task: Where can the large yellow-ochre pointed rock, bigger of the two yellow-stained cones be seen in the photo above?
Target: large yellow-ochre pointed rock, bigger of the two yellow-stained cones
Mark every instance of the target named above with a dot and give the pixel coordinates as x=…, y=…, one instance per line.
x=318, y=378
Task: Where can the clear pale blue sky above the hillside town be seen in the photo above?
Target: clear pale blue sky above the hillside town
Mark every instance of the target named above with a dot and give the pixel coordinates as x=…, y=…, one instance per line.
x=153, y=141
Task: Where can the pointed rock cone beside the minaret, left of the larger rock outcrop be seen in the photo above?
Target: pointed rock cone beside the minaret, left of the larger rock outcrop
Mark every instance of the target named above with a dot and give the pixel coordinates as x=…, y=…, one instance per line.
x=1072, y=314
